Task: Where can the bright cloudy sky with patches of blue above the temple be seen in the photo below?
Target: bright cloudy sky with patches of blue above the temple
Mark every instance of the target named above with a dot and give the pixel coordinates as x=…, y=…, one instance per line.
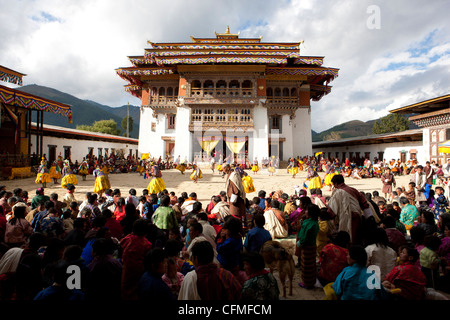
x=390, y=53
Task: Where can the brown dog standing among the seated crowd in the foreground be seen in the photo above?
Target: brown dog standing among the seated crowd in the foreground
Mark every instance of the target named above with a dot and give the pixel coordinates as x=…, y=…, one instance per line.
x=277, y=256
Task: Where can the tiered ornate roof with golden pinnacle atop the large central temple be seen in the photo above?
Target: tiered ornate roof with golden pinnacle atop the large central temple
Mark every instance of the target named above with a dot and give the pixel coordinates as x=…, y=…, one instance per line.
x=280, y=58
